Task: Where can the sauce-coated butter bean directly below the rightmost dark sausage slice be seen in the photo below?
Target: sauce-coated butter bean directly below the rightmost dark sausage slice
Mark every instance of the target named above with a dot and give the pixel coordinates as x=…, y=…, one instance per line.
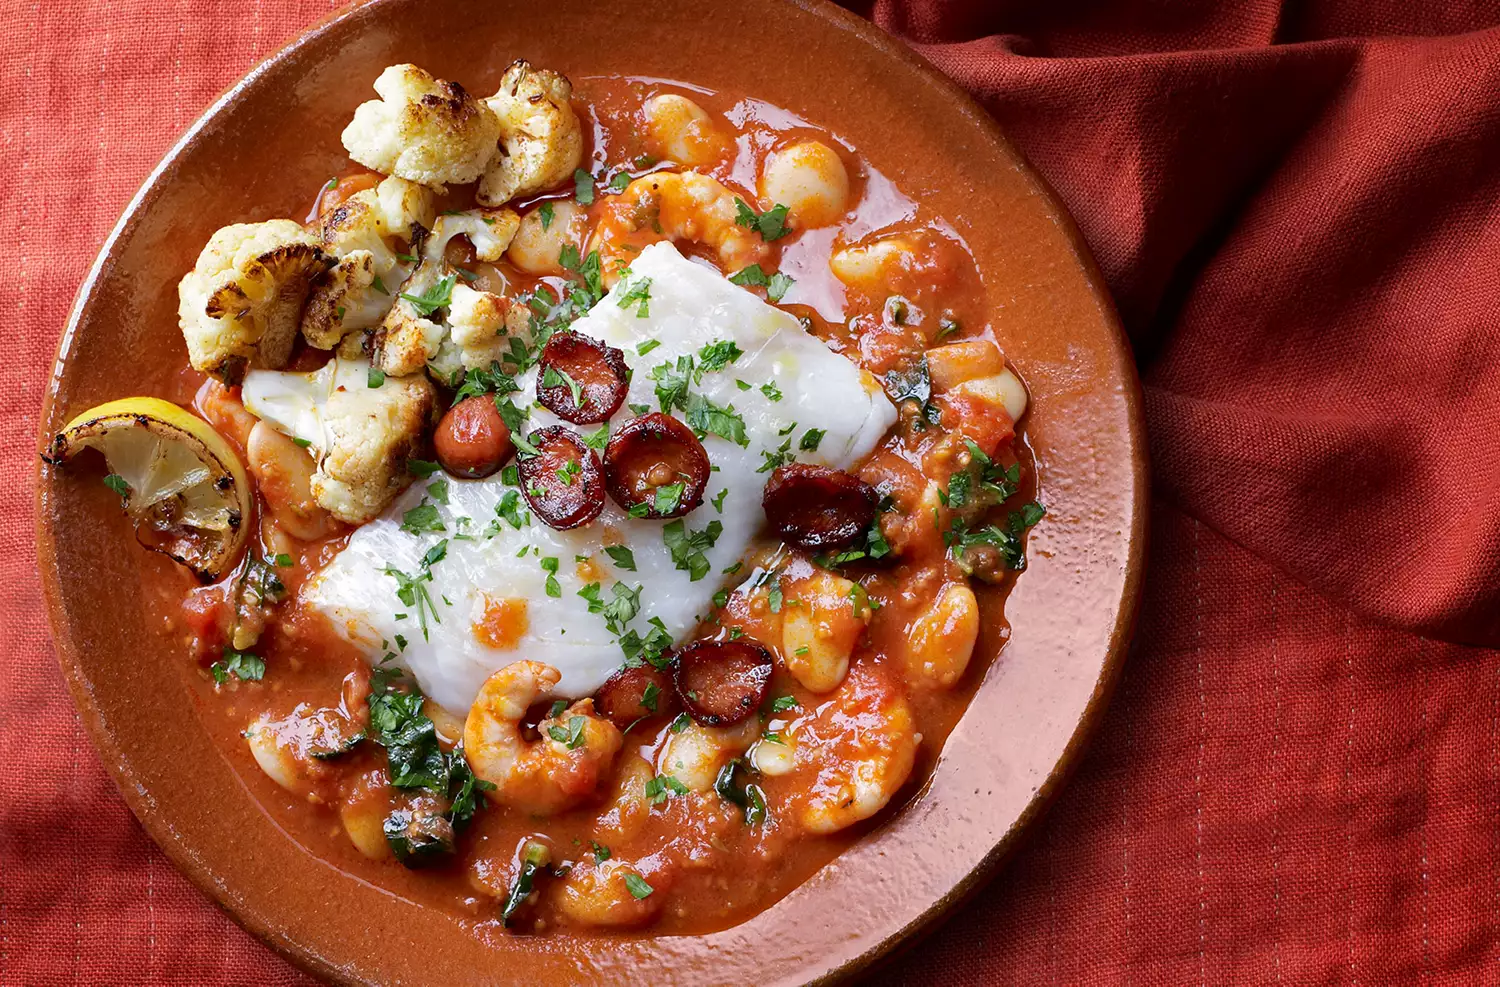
x=821, y=631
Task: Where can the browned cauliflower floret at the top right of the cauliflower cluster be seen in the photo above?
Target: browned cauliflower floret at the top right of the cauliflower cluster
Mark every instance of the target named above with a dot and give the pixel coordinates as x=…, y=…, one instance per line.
x=541, y=137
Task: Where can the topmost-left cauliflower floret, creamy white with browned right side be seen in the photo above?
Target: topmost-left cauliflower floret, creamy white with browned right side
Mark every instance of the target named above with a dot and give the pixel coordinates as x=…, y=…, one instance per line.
x=424, y=130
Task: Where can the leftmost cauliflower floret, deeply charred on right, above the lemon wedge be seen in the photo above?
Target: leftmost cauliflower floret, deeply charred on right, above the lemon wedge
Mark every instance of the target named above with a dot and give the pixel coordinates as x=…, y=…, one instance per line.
x=241, y=304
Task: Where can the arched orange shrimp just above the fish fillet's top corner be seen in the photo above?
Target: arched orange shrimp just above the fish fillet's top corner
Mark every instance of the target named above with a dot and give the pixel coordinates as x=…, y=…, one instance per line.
x=674, y=206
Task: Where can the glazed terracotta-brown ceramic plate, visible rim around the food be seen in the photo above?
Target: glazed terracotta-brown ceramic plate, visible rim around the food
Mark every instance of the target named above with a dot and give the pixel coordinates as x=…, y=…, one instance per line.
x=275, y=136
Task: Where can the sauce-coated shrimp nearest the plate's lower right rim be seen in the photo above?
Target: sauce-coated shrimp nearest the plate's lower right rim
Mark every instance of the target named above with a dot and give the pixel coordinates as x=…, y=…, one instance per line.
x=853, y=754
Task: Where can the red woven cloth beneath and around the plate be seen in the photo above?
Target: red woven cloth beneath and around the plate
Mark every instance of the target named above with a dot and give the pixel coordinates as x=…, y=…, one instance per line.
x=1295, y=206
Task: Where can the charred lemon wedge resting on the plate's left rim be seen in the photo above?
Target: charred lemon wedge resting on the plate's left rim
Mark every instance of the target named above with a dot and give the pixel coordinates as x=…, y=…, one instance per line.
x=179, y=481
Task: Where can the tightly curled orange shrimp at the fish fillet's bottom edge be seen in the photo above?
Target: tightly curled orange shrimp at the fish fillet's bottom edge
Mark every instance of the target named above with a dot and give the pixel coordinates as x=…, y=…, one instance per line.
x=553, y=773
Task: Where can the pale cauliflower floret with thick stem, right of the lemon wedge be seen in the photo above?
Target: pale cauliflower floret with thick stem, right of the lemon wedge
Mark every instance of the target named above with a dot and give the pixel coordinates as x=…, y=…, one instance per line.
x=361, y=437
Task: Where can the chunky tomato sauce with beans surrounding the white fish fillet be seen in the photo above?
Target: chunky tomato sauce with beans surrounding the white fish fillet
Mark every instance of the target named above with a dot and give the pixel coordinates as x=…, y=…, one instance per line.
x=899, y=688
